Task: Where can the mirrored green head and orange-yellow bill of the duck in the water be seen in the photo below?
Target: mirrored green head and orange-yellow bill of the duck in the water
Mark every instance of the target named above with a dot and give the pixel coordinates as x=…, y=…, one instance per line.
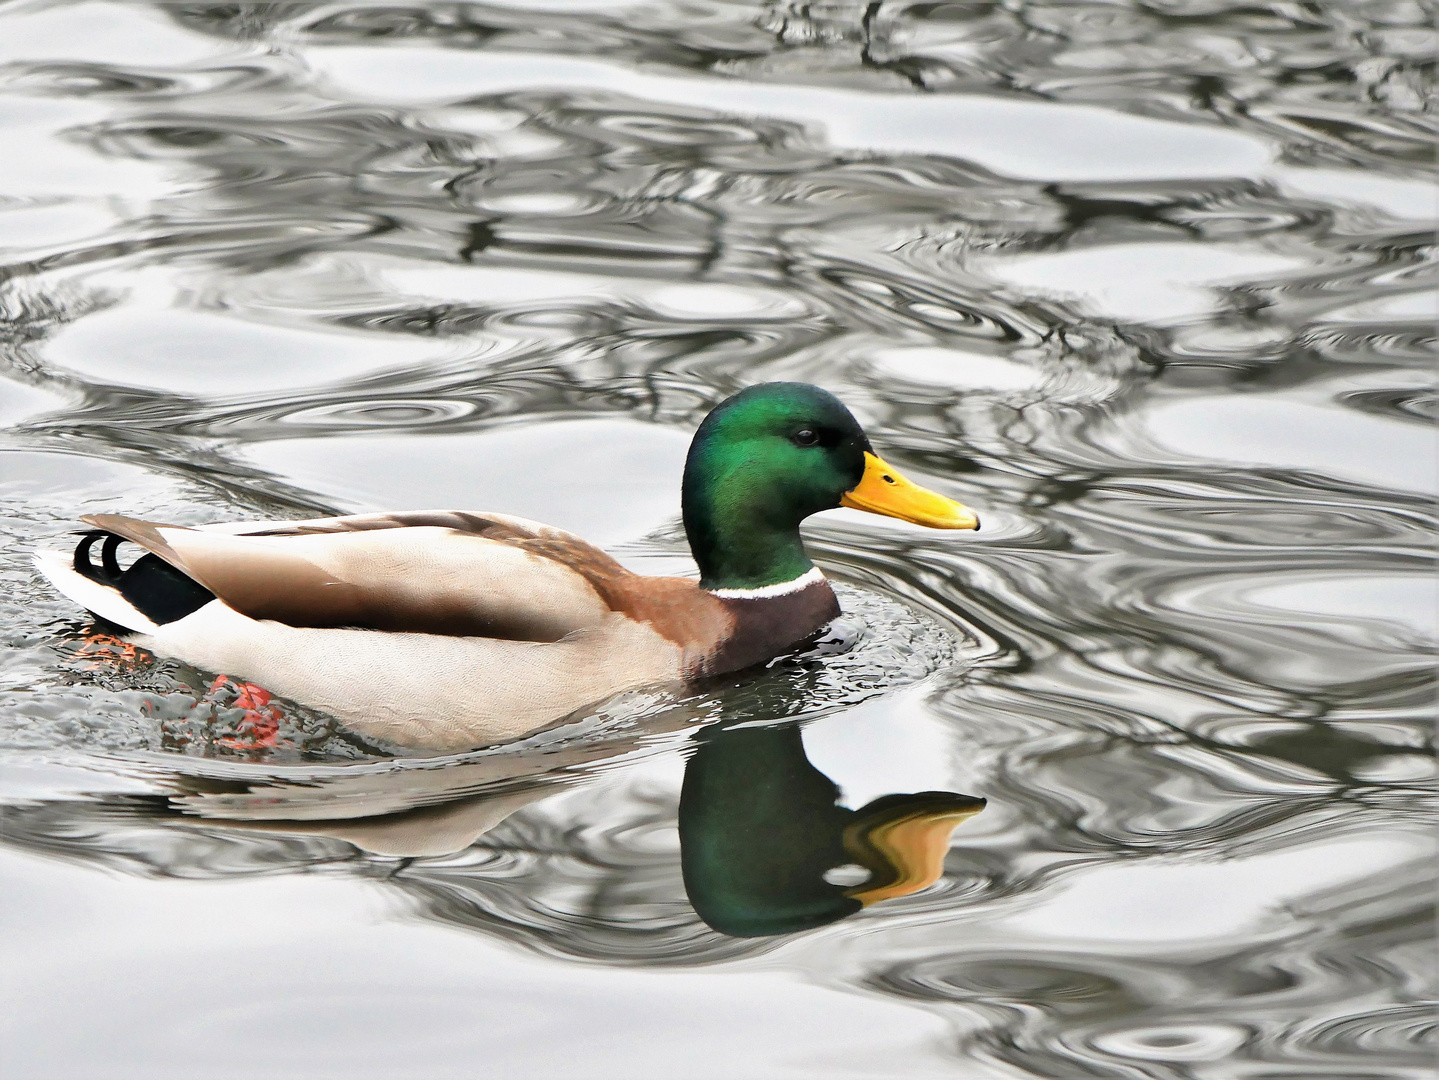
x=762, y=836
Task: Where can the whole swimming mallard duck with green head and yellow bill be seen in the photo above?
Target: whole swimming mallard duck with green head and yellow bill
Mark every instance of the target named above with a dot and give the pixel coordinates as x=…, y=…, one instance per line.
x=454, y=629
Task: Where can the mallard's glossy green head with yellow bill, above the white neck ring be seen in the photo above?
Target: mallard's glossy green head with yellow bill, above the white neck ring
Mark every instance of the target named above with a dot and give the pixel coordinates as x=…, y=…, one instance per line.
x=773, y=455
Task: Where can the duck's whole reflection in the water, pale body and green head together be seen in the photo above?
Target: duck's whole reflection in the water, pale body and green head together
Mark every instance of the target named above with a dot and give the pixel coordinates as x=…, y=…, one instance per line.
x=766, y=849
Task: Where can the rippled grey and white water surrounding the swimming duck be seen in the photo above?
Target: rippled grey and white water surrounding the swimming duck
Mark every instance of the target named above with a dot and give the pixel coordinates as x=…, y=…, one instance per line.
x=1145, y=284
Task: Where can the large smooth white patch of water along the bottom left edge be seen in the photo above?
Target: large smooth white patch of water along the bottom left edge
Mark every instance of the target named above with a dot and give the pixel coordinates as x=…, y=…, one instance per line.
x=451, y=1002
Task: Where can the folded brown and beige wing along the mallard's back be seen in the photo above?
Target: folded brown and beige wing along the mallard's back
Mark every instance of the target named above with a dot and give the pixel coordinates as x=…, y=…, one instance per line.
x=444, y=573
